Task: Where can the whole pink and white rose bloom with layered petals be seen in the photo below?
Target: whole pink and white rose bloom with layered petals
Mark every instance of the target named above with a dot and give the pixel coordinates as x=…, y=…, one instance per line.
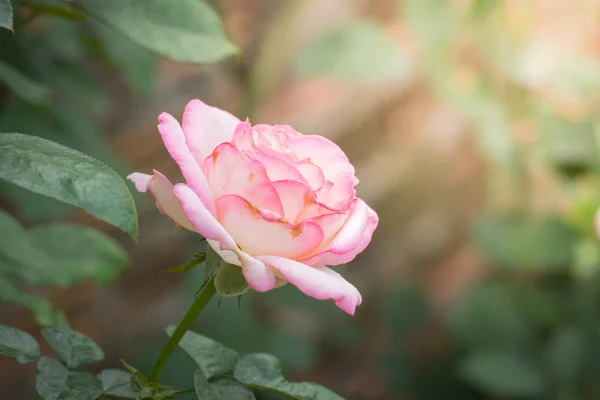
x=279, y=204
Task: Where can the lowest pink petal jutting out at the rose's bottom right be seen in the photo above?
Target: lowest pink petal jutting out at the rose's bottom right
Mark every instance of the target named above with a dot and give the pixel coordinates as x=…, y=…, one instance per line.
x=318, y=282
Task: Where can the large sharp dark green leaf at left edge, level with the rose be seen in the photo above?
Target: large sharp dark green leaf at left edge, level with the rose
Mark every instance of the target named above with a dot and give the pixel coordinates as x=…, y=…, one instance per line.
x=67, y=175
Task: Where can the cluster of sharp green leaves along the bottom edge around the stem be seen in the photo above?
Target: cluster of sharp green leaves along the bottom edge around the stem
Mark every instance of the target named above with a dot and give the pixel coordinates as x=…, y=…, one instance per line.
x=220, y=375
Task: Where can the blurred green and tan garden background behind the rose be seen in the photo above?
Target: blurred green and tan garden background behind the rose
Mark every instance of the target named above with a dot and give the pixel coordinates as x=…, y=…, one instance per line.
x=474, y=126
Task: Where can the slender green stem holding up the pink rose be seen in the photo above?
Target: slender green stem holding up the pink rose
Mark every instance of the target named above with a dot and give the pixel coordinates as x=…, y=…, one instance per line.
x=188, y=319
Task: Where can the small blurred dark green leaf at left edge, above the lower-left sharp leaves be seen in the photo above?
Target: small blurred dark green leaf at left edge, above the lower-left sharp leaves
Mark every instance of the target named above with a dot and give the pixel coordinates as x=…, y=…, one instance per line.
x=42, y=309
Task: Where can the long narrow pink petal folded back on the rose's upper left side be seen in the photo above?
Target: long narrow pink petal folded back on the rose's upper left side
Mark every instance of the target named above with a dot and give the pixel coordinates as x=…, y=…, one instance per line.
x=174, y=140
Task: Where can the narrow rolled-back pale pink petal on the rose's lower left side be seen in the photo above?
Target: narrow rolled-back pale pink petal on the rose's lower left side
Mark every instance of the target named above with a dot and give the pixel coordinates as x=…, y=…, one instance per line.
x=201, y=219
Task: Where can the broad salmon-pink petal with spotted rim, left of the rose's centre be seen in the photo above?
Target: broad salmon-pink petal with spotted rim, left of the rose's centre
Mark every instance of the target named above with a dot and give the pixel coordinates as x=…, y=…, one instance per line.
x=231, y=172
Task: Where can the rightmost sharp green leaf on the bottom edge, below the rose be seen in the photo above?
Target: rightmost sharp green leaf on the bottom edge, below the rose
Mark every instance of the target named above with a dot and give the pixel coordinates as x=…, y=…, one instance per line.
x=263, y=371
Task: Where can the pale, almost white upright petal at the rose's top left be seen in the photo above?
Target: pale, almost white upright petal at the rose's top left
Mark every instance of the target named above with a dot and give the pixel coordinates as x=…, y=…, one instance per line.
x=206, y=127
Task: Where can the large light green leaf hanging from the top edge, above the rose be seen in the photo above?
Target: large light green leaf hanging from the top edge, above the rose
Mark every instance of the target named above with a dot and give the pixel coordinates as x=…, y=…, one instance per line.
x=186, y=30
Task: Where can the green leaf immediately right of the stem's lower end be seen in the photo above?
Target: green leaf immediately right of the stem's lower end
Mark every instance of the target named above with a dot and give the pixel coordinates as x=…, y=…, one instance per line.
x=210, y=356
